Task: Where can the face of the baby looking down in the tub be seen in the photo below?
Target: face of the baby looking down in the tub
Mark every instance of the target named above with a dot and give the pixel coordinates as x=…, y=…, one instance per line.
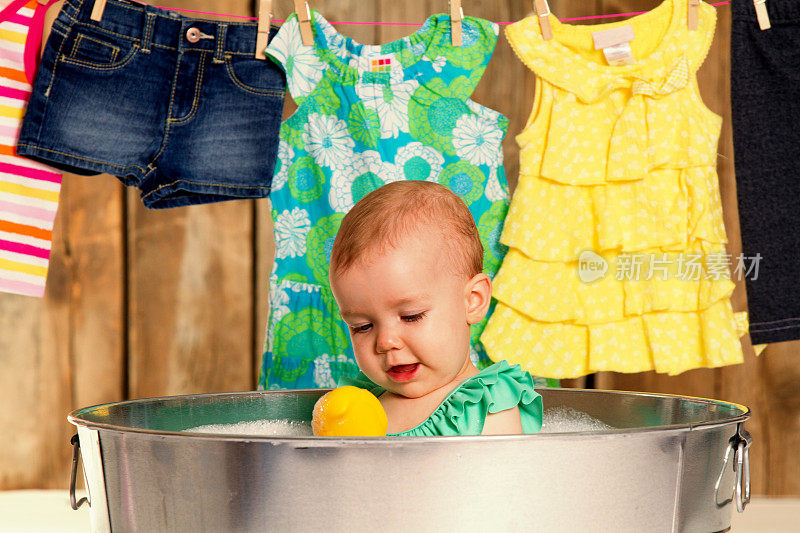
x=407, y=314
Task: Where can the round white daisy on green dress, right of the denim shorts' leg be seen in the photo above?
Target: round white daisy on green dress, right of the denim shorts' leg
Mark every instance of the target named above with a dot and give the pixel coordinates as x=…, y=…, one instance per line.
x=328, y=141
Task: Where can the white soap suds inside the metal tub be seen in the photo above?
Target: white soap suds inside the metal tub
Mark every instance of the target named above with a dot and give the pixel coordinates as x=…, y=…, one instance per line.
x=555, y=420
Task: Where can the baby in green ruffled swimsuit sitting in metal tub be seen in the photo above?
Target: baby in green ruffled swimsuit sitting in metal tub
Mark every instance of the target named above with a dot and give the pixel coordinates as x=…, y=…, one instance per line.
x=407, y=273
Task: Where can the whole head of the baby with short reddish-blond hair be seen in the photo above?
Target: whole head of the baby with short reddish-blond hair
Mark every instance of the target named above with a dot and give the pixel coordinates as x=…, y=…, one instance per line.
x=406, y=272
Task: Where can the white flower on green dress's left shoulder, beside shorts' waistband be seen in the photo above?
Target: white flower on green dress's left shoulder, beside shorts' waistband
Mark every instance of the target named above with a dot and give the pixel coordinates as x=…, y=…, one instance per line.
x=303, y=67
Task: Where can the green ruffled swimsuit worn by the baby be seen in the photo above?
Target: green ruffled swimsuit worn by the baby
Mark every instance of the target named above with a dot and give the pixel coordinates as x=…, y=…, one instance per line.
x=463, y=412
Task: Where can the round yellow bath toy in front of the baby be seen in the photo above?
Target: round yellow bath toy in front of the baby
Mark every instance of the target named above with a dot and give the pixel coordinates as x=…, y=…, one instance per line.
x=349, y=412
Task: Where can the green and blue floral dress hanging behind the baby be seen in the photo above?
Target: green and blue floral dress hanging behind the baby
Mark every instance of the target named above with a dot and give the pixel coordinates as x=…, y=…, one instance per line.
x=367, y=116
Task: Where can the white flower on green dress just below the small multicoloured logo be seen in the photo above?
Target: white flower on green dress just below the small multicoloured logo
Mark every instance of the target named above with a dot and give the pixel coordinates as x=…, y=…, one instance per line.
x=391, y=104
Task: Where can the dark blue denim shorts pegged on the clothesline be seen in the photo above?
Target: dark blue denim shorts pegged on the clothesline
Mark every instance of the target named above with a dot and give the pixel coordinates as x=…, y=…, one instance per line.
x=176, y=106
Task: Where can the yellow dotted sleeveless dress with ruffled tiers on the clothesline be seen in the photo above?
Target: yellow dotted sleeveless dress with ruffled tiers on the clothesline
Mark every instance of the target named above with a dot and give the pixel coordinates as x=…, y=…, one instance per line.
x=618, y=162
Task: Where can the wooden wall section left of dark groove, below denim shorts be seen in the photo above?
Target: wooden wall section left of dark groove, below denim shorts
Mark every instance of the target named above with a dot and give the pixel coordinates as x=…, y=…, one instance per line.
x=65, y=350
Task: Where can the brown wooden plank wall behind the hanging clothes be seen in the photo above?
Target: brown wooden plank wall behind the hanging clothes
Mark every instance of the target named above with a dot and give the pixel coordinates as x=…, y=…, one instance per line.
x=145, y=303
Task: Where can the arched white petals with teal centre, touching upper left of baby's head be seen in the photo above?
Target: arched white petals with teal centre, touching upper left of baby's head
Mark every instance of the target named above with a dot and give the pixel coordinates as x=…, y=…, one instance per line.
x=365, y=170
